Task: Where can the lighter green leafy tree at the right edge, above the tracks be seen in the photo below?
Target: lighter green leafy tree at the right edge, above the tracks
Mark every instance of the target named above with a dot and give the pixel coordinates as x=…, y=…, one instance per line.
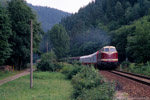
x=139, y=42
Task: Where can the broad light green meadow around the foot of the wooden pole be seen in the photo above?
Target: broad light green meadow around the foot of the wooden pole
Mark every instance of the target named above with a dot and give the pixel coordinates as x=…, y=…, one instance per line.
x=47, y=86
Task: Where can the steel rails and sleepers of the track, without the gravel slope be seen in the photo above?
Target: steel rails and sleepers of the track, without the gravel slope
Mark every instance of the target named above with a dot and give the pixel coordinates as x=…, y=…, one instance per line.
x=136, y=77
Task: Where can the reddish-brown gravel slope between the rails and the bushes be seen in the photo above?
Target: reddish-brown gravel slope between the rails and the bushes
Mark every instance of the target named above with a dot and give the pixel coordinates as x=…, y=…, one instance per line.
x=136, y=91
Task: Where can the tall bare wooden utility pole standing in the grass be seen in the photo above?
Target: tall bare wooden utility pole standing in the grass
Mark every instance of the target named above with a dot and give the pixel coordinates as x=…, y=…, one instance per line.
x=31, y=58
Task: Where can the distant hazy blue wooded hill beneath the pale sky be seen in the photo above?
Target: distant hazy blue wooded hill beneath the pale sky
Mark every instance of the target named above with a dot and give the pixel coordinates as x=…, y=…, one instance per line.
x=48, y=16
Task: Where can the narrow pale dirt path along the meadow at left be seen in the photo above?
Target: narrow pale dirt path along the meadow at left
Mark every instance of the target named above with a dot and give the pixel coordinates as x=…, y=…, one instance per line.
x=23, y=73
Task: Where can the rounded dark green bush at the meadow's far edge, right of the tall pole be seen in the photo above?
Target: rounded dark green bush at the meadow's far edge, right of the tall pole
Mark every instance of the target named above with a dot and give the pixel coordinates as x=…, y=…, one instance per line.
x=47, y=62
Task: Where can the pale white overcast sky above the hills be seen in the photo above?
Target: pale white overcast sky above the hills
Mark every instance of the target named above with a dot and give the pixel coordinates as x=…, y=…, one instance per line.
x=70, y=6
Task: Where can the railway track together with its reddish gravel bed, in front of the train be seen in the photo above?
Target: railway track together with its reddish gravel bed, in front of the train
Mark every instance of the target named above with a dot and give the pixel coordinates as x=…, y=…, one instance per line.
x=138, y=89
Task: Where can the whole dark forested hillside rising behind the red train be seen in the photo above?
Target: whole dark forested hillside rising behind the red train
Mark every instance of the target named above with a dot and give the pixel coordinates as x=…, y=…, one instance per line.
x=124, y=23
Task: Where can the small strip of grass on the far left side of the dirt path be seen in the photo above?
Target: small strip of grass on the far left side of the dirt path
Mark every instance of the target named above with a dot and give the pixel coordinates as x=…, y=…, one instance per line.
x=5, y=74
